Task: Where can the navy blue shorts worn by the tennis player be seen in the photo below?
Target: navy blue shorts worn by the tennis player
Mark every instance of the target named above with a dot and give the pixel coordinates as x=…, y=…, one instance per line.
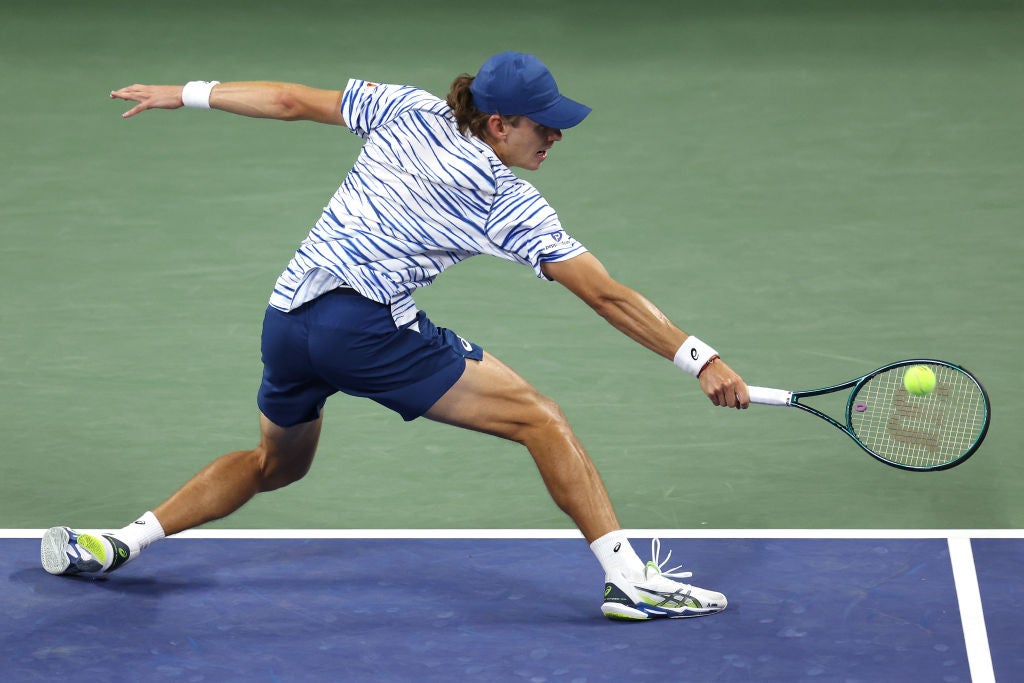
x=343, y=341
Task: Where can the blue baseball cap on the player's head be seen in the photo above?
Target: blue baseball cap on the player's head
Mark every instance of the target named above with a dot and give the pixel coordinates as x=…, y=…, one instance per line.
x=520, y=84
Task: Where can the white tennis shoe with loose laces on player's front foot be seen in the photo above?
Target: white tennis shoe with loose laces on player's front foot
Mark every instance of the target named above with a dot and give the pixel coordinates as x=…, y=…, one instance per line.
x=659, y=596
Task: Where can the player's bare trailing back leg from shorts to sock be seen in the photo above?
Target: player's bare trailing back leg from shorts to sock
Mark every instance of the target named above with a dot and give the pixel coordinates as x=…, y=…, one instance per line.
x=284, y=456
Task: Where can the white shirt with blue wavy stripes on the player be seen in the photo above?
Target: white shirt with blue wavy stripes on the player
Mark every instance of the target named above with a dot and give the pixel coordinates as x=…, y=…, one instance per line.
x=420, y=198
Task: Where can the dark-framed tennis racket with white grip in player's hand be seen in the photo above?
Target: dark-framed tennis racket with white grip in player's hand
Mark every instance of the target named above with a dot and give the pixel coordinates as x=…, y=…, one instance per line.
x=922, y=434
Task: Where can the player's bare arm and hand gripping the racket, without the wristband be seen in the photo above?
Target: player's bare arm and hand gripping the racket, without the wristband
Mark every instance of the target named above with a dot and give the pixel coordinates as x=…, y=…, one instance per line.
x=637, y=318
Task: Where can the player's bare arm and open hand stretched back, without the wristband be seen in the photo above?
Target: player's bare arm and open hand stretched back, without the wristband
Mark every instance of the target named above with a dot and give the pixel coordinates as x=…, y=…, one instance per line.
x=262, y=100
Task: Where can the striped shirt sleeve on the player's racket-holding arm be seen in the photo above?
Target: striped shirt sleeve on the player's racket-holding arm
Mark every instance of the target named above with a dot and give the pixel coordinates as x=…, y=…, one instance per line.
x=525, y=226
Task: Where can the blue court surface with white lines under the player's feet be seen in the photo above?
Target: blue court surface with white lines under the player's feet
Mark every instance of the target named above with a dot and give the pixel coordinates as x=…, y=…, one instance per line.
x=349, y=607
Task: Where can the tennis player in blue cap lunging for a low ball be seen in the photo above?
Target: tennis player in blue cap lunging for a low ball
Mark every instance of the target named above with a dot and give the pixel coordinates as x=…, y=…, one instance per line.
x=432, y=187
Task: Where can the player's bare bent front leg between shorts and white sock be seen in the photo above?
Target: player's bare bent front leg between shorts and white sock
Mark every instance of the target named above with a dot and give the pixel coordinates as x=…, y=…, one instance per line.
x=491, y=398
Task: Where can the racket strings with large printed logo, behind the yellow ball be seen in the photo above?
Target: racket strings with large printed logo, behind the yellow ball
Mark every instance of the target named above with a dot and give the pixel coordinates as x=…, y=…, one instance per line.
x=920, y=432
